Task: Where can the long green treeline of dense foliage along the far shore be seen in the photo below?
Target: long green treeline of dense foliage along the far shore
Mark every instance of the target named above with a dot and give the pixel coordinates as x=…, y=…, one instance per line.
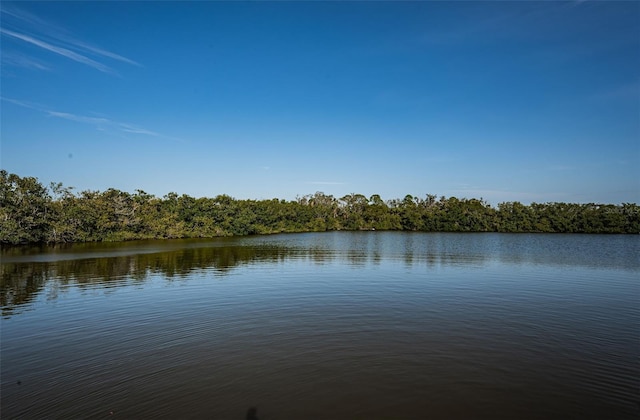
x=31, y=213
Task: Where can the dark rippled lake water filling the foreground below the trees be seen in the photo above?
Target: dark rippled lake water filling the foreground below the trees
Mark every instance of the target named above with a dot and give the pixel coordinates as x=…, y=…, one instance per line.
x=338, y=325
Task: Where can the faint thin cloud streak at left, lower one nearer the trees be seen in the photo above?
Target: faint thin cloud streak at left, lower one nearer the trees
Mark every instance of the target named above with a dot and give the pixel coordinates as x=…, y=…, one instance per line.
x=100, y=123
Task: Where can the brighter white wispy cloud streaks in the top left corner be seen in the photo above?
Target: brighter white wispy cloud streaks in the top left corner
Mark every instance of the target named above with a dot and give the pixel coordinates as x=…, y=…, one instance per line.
x=26, y=27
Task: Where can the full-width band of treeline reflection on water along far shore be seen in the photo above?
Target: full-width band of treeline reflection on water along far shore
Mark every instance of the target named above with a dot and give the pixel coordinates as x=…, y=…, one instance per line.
x=25, y=270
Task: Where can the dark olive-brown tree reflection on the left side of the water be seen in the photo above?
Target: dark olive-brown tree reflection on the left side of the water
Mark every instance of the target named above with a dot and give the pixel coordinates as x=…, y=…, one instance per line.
x=21, y=282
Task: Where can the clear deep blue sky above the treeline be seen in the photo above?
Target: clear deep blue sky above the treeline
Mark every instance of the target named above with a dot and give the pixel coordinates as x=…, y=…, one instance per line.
x=508, y=101
